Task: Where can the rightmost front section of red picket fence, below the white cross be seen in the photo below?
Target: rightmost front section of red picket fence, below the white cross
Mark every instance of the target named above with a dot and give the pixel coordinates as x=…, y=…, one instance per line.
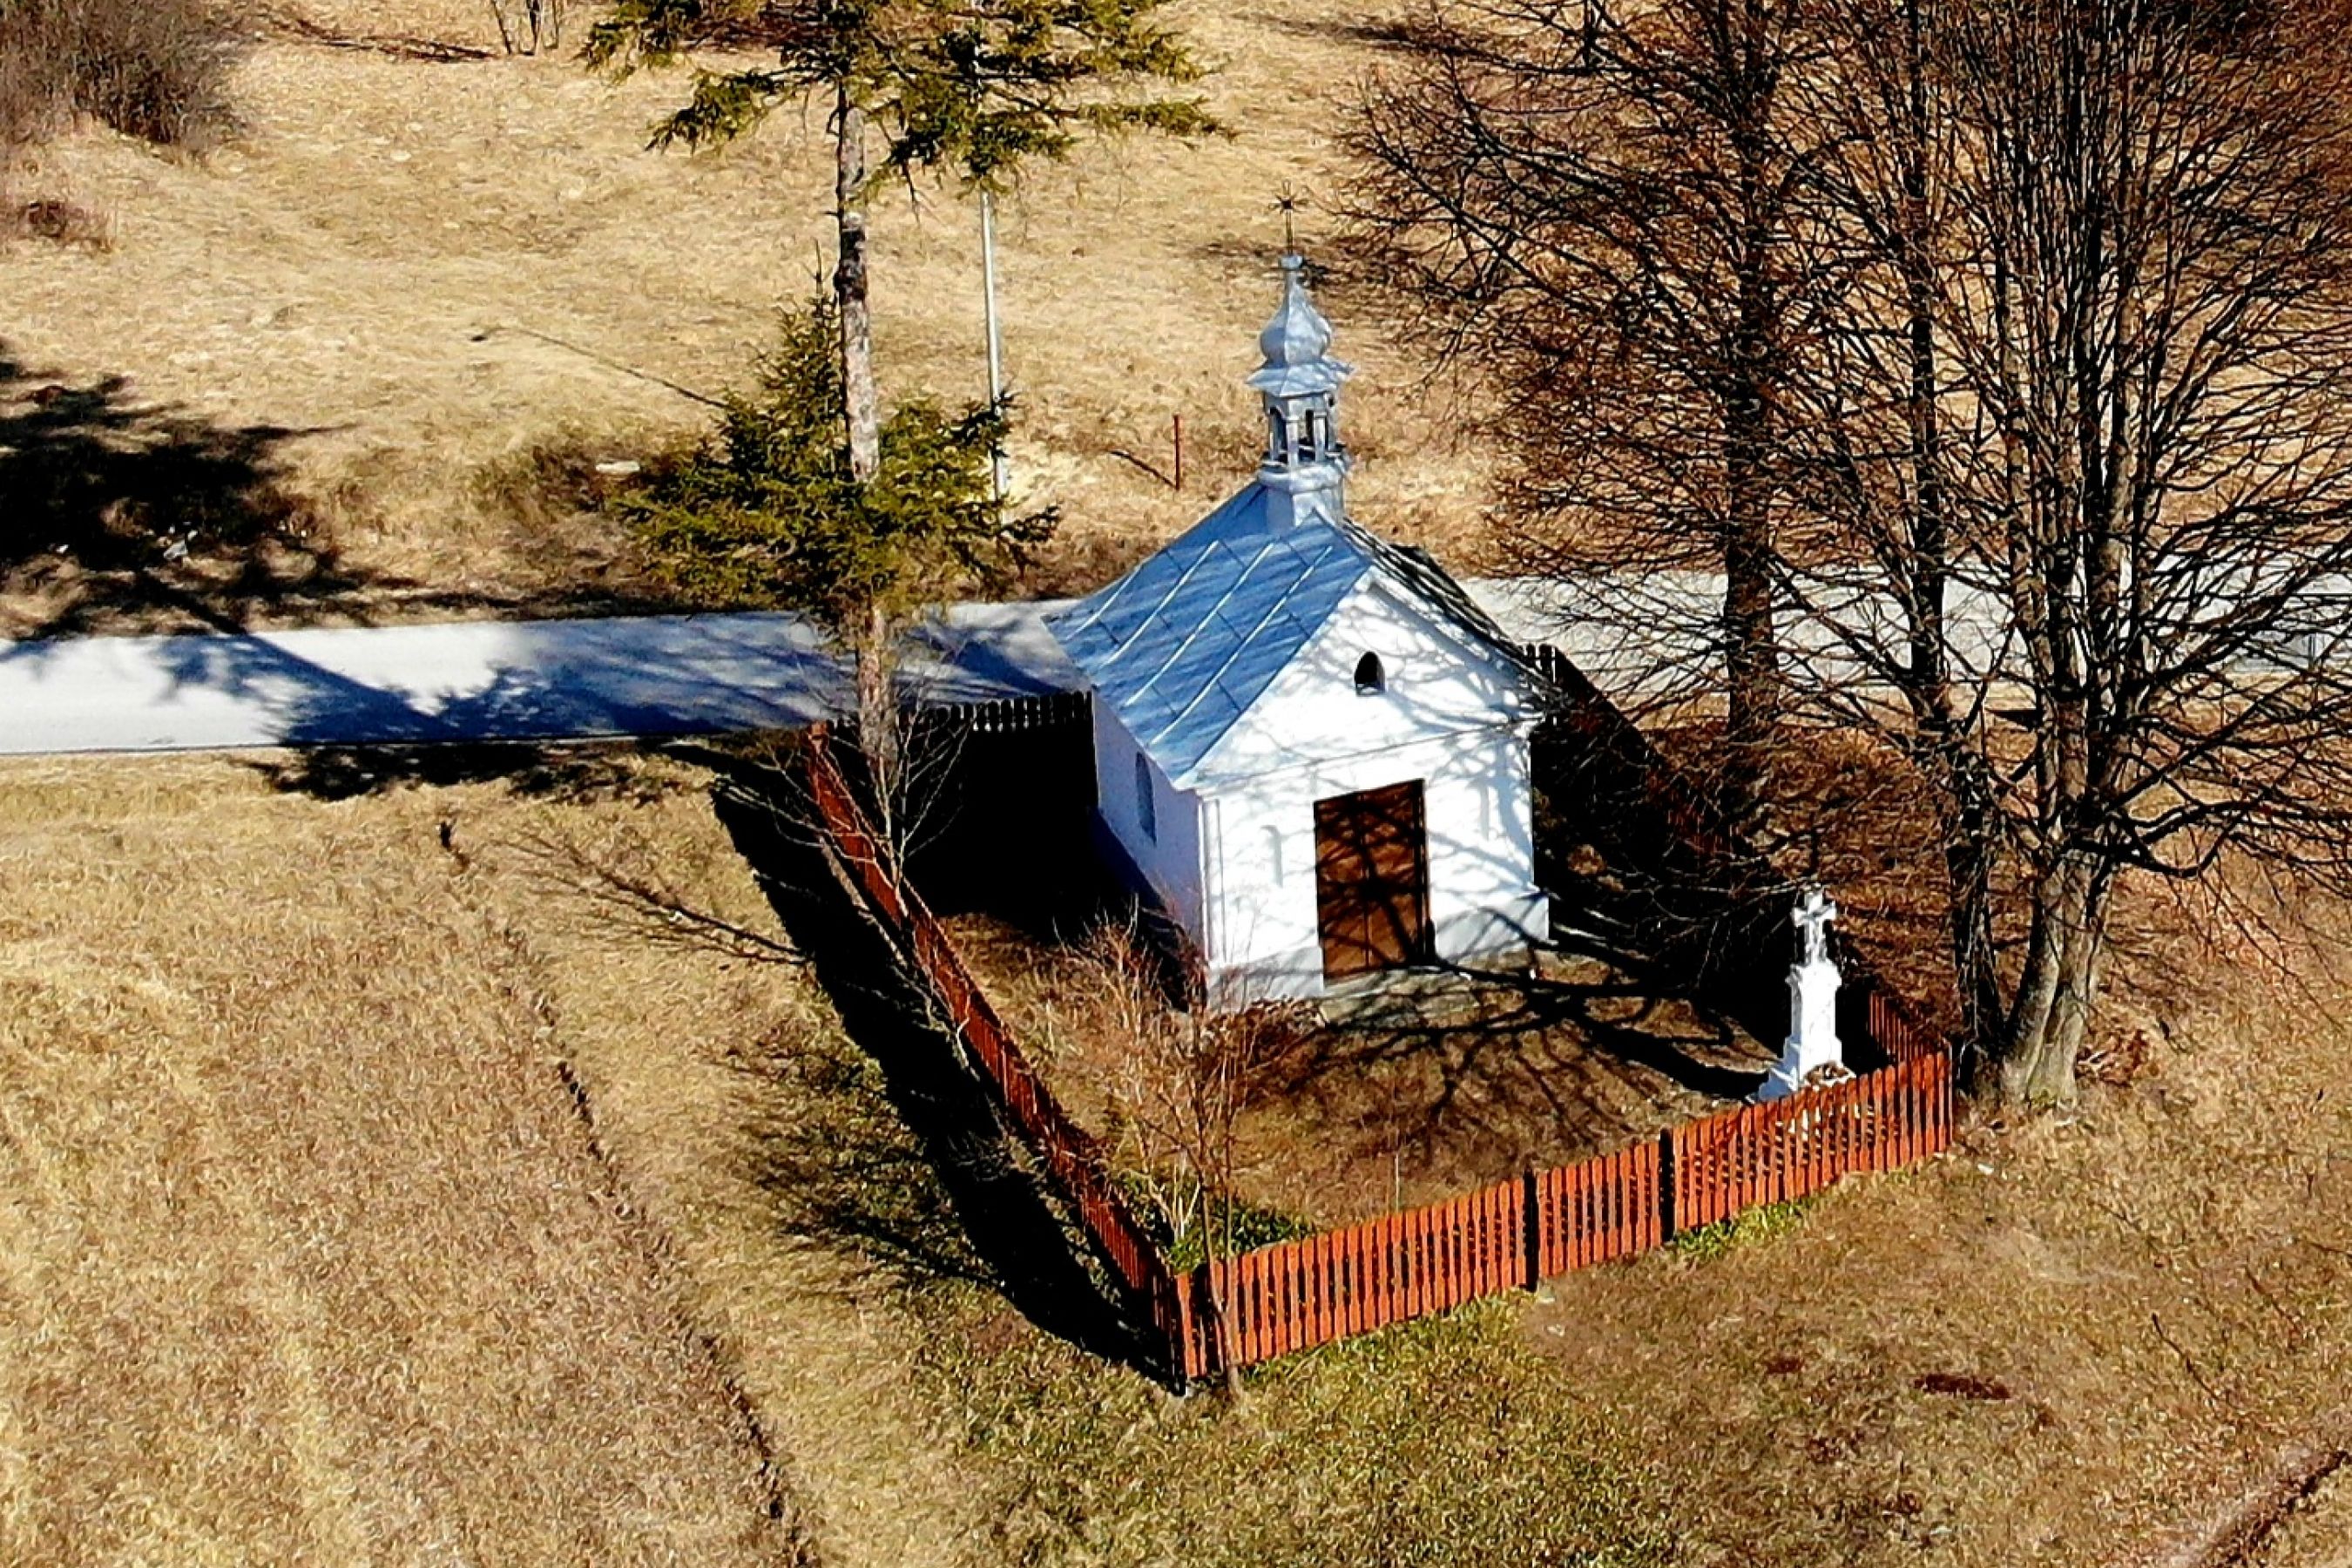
x=1789, y=1148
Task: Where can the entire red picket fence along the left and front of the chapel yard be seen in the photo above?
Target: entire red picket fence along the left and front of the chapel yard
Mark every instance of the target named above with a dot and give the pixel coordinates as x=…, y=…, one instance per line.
x=1344, y=1282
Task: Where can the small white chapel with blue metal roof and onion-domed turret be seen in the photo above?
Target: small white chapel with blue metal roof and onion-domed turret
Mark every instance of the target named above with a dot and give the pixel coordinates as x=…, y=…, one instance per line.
x=1309, y=744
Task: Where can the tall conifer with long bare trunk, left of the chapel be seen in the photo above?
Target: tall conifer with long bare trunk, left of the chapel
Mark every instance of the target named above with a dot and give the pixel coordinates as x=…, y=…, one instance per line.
x=970, y=91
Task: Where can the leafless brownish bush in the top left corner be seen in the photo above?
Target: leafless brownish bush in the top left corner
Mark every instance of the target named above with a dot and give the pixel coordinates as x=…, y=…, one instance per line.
x=152, y=69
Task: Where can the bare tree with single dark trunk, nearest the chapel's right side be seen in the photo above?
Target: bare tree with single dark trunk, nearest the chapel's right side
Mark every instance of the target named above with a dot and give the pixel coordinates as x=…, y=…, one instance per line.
x=1603, y=213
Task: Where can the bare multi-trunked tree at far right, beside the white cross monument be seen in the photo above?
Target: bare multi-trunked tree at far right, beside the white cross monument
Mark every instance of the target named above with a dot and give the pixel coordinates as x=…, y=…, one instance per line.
x=2141, y=474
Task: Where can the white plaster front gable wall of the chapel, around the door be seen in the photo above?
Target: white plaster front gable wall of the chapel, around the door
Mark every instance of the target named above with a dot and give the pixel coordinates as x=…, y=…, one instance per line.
x=1452, y=718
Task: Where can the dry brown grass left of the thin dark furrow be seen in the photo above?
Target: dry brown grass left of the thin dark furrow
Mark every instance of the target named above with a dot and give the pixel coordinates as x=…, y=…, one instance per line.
x=302, y=1247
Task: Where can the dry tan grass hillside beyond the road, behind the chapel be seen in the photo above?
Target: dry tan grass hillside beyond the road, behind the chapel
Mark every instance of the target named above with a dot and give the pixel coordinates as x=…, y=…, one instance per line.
x=427, y=267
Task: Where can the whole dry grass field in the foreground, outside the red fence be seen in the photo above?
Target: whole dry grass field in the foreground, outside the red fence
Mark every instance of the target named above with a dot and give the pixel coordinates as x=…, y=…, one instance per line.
x=307, y=1254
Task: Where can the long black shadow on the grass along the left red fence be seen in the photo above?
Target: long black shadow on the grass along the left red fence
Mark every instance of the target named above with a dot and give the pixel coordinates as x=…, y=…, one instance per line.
x=1020, y=1240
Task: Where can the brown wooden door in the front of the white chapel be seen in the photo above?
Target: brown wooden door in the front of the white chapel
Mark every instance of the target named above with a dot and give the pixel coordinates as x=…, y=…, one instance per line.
x=1372, y=880
